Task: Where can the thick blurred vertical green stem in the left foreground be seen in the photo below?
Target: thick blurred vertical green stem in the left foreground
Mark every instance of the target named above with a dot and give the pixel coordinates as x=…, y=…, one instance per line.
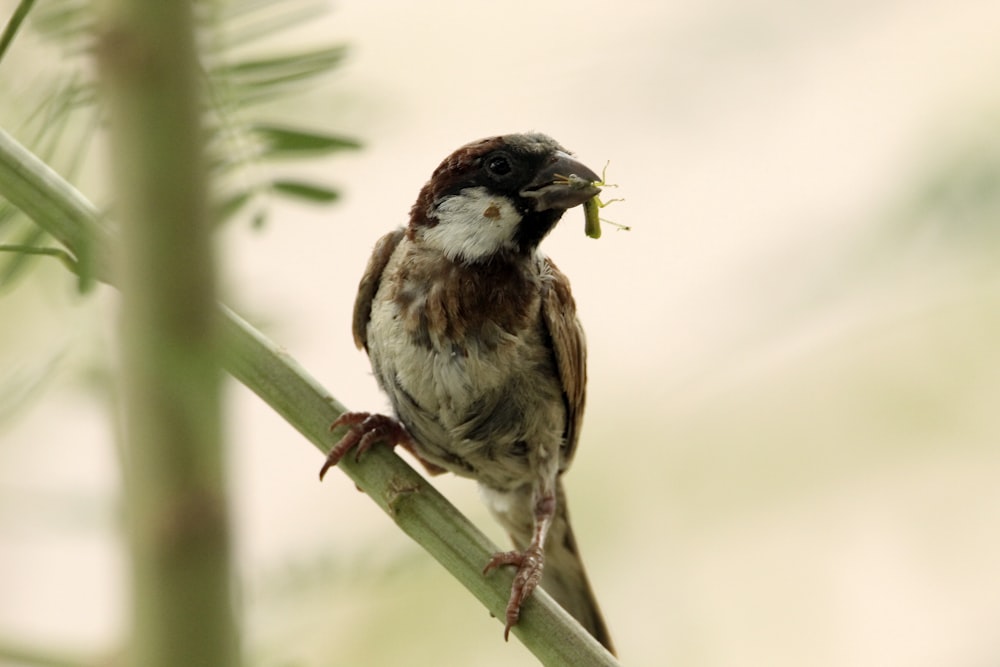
x=176, y=503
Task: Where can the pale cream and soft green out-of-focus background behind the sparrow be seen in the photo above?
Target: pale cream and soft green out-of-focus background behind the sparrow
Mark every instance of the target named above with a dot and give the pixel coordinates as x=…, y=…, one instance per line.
x=792, y=442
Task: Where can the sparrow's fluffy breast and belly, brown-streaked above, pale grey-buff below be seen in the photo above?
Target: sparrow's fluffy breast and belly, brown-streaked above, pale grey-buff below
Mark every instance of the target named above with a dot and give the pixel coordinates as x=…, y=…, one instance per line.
x=463, y=354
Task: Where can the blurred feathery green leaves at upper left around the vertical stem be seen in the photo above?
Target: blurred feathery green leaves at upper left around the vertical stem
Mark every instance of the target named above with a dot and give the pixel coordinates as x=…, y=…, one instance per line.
x=57, y=112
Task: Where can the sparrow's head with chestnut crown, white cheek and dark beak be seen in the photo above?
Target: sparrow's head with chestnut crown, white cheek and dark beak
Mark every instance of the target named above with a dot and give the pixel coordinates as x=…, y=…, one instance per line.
x=499, y=196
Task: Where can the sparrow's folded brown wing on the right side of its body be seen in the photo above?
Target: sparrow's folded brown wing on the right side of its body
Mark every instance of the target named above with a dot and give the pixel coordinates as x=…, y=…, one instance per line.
x=568, y=347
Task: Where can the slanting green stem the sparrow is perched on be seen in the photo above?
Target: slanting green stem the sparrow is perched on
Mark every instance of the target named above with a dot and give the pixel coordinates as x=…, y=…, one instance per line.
x=420, y=511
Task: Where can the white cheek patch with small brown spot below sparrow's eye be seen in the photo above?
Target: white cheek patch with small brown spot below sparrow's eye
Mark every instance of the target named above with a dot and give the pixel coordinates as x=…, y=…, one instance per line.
x=473, y=225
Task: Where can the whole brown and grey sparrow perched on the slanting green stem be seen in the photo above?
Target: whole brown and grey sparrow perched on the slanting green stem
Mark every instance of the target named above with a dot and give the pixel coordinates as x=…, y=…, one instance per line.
x=473, y=334
